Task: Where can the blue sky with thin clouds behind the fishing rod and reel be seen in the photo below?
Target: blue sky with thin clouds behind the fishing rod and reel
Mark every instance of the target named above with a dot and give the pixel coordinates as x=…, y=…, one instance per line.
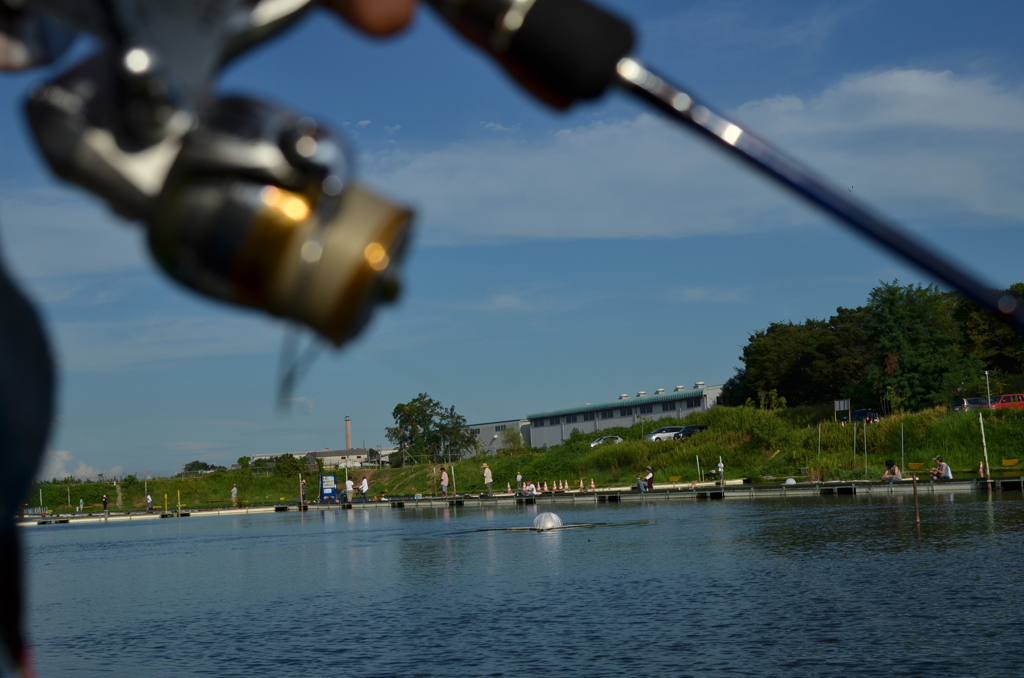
x=560, y=259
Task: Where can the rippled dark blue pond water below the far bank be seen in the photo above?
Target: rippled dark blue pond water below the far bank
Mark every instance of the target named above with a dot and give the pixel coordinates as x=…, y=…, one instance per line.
x=773, y=587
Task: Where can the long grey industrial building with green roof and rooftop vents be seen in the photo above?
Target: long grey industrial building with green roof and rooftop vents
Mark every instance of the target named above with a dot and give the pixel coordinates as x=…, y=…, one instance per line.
x=550, y=429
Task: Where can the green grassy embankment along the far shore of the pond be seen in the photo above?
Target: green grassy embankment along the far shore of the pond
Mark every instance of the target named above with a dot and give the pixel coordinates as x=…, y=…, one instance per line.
x=753, y=444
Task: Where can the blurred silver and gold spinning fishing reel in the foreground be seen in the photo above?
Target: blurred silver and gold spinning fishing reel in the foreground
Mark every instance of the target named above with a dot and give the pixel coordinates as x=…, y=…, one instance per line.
x=242, y=201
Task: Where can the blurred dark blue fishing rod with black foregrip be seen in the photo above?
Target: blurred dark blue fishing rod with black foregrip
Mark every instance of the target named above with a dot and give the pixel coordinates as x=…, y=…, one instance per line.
x=567, y=51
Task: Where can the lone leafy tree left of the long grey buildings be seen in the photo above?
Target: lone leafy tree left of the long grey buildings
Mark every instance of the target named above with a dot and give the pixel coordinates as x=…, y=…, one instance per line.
x=425, y=431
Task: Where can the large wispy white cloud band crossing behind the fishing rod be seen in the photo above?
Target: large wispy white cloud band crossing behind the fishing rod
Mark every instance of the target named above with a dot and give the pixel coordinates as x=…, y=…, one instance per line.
x=920, y=145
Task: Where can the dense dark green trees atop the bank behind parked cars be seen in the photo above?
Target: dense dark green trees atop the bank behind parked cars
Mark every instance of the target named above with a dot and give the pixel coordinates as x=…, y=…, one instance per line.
x=909, y=348
